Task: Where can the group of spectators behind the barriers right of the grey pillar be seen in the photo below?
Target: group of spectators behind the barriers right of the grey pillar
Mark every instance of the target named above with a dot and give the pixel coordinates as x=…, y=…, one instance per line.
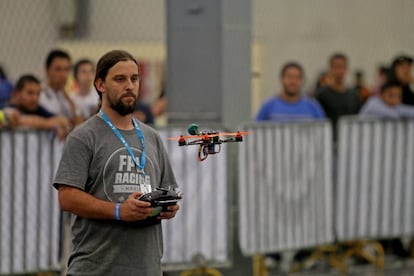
x=390, y=98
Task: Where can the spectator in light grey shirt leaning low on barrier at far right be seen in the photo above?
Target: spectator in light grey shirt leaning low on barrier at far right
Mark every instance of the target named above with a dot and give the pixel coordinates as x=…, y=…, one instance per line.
x=388, y=104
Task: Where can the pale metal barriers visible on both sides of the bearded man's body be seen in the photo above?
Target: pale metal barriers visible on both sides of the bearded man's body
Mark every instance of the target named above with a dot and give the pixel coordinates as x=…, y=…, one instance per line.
x=30, y=215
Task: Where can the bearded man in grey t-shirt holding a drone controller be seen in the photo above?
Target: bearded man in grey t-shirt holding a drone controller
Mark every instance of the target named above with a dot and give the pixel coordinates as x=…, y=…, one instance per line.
x=114, y=233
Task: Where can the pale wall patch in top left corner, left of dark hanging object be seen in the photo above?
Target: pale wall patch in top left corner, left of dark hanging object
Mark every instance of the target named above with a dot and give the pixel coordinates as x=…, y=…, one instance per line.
x=27, y=33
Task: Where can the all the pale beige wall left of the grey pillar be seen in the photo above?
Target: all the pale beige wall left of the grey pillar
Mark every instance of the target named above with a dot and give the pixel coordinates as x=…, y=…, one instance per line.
x=29, y=29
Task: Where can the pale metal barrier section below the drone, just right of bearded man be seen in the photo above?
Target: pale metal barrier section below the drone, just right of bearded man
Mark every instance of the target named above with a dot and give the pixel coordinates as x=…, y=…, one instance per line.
x=202, y=224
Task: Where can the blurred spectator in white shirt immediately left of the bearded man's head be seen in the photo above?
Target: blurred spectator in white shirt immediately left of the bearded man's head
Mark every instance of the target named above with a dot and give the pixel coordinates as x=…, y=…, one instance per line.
x=86, y=98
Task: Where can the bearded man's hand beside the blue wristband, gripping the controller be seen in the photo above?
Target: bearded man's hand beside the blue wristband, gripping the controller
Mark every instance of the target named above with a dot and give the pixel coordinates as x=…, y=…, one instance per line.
x=133, y=209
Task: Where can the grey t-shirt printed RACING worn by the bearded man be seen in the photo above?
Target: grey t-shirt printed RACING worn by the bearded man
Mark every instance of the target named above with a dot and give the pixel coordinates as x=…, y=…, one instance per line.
x=95, y=161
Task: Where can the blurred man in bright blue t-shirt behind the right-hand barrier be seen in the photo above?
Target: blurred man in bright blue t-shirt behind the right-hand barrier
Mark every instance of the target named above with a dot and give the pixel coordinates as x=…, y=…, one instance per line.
x=290, y=105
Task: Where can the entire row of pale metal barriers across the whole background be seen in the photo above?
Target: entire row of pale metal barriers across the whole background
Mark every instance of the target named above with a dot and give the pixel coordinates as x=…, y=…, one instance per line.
x=286, y=190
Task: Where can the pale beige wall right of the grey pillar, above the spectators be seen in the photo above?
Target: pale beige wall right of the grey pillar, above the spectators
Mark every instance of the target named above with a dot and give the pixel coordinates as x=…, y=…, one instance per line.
x=369, y=32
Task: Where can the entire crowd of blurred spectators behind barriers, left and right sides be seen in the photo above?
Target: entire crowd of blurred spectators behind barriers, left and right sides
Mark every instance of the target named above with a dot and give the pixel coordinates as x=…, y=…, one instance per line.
x=47, y=105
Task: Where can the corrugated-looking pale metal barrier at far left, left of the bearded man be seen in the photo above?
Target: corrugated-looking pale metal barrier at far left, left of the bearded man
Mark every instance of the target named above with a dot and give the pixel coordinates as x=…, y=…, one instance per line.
x=29, y=213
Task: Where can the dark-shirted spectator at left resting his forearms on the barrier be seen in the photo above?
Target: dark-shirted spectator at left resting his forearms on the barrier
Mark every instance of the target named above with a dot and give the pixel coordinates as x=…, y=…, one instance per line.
x=26, y=100
